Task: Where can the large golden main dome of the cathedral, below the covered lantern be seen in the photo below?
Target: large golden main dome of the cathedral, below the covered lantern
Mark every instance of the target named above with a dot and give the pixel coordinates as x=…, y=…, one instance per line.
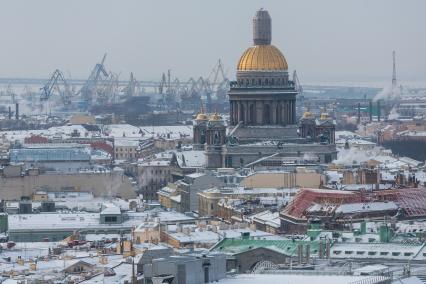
x=262, y=57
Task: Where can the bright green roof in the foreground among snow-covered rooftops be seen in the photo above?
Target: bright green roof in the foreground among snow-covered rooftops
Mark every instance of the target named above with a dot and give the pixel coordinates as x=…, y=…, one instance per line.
x=285, y=246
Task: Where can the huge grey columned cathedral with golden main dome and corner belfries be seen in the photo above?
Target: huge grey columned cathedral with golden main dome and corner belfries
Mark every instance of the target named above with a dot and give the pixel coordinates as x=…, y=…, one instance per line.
x=262, y=124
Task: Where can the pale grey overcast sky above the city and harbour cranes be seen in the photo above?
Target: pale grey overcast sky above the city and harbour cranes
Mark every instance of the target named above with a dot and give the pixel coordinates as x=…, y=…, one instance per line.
x=327, y=40
